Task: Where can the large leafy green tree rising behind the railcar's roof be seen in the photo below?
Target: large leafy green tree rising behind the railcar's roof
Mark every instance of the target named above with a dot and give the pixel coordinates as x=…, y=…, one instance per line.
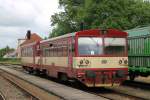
x=120, y=14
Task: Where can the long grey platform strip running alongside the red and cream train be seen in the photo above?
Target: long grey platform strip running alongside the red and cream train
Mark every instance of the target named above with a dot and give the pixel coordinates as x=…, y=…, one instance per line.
x=59, y=91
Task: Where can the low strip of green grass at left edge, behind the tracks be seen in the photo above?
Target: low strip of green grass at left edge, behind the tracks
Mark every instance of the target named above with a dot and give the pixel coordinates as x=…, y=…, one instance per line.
x=10, y=61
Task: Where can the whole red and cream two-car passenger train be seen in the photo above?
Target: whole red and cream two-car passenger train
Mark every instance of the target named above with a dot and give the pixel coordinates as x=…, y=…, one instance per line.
x=94, y=57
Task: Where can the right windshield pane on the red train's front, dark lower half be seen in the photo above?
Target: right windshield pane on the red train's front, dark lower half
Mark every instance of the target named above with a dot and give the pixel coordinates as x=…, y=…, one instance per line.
x=114, y=46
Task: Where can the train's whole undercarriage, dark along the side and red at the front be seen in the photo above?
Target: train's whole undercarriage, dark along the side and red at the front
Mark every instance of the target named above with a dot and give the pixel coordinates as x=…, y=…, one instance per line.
x=89, y=77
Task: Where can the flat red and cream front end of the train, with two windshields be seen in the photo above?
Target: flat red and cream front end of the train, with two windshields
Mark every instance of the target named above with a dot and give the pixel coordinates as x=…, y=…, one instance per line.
x=101, y=57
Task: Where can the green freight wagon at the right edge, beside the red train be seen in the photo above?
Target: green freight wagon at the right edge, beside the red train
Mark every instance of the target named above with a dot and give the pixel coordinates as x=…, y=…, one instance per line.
x=139, y=52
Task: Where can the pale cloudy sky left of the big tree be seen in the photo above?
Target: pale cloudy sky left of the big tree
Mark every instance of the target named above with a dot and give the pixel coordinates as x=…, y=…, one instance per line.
x=18, y=16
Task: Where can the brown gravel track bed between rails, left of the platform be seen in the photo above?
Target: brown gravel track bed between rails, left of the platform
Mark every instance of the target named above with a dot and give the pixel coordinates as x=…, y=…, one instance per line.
x=29, y=88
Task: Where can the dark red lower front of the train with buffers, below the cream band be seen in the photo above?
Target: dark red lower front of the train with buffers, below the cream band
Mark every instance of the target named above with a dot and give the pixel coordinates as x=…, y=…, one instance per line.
x=102, y=78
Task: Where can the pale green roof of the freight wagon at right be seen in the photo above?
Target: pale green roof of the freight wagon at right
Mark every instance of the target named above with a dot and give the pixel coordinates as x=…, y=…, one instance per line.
x=138, y=31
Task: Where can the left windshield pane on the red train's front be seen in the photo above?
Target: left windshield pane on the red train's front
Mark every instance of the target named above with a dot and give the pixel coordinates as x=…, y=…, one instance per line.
x=90, y=46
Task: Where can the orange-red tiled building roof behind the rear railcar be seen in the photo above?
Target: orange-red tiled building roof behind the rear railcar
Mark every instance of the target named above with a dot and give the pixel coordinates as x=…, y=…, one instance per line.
x=34, y=38
